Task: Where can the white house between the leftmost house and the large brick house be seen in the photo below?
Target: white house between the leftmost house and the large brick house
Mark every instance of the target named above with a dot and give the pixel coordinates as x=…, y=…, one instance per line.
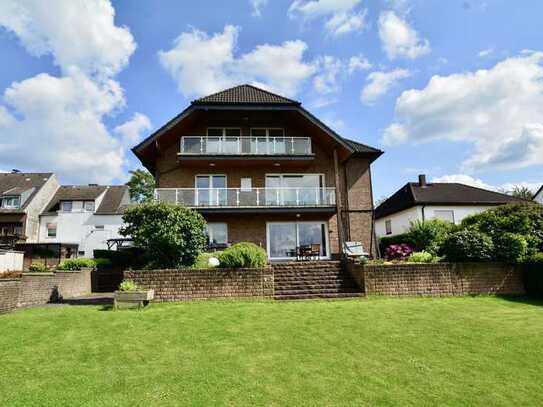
x=86, y=216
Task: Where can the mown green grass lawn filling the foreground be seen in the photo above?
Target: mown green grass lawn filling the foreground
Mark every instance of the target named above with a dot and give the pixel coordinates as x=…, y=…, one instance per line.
x=456, y=351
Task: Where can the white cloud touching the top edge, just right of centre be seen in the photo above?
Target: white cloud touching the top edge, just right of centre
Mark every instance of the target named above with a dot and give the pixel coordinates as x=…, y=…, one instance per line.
x=342, y=16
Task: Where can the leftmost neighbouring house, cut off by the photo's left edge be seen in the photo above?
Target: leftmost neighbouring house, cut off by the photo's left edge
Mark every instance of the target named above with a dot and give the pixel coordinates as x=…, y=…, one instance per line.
x=23, y=196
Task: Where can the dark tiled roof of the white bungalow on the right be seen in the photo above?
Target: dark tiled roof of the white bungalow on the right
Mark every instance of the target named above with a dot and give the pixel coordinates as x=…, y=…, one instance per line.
x=413, y=193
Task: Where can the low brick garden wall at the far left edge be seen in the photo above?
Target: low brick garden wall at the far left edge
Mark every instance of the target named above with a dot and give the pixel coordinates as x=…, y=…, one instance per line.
x=42, y=288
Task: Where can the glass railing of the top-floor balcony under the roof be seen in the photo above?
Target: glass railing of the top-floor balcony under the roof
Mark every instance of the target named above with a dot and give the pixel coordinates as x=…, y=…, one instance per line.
x=245, y=145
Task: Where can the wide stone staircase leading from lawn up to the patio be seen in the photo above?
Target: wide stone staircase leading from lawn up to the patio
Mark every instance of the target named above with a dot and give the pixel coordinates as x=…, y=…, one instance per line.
x=315, y=279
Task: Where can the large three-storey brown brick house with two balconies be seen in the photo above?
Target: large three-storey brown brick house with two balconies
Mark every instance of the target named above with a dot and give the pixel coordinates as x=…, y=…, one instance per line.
x=261, y=168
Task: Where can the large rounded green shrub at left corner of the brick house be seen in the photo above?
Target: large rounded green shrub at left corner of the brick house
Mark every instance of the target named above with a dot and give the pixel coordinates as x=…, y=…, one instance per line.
x=170, y=235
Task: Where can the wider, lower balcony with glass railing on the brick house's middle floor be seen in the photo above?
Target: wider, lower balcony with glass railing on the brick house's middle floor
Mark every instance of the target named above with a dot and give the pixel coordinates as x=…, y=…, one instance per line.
x=254, y=198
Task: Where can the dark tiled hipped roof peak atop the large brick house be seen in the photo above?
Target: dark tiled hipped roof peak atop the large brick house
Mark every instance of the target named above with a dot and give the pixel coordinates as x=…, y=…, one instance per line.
x=245, y=95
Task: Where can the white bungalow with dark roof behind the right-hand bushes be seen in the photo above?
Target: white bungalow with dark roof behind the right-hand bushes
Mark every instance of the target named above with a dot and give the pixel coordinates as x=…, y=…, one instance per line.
x=451, y=202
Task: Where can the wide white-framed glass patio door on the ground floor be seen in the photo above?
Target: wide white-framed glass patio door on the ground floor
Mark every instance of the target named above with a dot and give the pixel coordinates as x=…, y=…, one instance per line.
x=283, y=238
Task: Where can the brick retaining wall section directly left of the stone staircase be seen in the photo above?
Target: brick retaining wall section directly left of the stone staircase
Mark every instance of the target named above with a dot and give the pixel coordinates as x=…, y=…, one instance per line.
x=189, y=284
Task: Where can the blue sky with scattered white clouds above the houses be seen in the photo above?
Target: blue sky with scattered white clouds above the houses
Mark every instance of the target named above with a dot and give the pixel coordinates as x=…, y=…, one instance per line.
x=452, y=89
